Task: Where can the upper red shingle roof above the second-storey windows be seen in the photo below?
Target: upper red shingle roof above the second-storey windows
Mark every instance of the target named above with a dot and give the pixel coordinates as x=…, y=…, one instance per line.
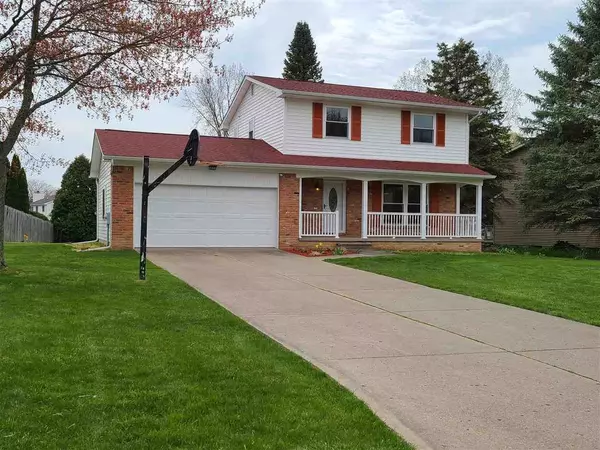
x=360, y=91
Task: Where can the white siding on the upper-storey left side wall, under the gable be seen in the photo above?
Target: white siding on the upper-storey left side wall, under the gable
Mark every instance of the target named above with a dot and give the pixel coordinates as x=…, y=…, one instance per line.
x=264, y=111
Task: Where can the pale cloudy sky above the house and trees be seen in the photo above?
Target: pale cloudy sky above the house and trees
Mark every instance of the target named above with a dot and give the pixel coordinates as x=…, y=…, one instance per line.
x=362, y=42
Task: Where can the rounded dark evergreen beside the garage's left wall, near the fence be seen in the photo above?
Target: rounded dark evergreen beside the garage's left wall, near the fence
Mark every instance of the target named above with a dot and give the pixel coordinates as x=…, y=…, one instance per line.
x=74, y=210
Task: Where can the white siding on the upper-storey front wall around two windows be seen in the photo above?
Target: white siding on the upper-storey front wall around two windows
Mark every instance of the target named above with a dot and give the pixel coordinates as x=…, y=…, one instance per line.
x=380, y=136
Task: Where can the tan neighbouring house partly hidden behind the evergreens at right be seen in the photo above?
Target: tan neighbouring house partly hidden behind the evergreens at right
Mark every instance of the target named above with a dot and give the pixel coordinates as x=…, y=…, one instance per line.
x=510, y=228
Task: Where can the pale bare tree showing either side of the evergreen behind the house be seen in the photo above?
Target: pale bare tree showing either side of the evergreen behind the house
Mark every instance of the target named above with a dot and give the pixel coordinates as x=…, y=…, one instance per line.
x=512, y=97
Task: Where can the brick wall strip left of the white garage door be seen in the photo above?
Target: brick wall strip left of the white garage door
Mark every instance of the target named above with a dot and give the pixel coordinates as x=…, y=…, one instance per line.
x=122, y=207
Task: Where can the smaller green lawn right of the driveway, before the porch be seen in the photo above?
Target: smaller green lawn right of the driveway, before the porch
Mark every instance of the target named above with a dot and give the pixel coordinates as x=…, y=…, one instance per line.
x=562, y=287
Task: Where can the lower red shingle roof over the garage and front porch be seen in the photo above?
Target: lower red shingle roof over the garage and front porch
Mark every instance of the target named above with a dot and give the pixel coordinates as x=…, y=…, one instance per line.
x=135, y=144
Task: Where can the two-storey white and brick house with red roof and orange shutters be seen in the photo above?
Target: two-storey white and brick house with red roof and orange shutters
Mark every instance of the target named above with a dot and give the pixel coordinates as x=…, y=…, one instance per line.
x=307, y=162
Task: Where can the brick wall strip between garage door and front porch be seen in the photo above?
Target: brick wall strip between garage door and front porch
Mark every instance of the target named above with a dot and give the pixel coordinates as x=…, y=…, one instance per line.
x=289, y=190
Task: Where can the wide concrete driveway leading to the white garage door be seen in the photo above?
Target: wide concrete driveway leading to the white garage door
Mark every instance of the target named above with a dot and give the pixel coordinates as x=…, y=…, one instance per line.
x=445, y=370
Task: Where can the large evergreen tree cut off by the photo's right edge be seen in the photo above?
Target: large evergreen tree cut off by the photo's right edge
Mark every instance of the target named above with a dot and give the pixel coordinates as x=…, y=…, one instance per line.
x=561, y=187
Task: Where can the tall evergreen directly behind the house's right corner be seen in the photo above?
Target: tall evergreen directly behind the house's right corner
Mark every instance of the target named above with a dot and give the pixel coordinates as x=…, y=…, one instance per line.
x=459, y=74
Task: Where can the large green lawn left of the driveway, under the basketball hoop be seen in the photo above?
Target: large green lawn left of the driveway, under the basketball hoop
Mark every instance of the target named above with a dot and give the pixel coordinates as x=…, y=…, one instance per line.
x=91, y=358
